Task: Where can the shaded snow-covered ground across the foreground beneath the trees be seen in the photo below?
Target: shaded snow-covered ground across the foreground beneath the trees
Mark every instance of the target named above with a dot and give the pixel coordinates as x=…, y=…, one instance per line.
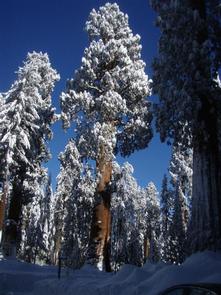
x=19, y=278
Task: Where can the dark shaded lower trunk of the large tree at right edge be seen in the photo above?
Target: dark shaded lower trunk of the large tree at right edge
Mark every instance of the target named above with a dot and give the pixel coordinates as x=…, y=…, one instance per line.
x=205, y=226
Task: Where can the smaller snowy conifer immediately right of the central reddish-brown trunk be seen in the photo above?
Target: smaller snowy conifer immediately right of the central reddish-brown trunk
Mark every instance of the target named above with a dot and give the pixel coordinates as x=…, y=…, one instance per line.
x=128, y=218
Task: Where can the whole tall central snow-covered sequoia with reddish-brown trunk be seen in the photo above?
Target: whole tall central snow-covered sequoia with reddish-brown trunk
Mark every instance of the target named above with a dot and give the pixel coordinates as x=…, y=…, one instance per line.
x=107, y=101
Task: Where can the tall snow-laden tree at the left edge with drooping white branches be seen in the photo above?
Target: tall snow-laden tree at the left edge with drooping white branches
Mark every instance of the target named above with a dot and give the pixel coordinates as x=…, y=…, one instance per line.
x=26, y=116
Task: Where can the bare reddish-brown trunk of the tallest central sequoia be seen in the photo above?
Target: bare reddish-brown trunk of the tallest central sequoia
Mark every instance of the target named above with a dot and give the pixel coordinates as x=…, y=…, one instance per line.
x=99, y=244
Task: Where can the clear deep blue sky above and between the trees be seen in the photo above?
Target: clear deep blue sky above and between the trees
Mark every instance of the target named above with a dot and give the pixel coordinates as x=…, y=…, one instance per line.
x=57, y=27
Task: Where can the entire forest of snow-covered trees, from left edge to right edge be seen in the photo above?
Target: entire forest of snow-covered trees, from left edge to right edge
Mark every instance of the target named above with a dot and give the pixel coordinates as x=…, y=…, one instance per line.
x=98, y=213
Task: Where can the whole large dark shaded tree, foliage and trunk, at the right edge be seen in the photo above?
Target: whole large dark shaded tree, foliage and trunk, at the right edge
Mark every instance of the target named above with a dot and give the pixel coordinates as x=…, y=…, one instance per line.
x=186, y=80
